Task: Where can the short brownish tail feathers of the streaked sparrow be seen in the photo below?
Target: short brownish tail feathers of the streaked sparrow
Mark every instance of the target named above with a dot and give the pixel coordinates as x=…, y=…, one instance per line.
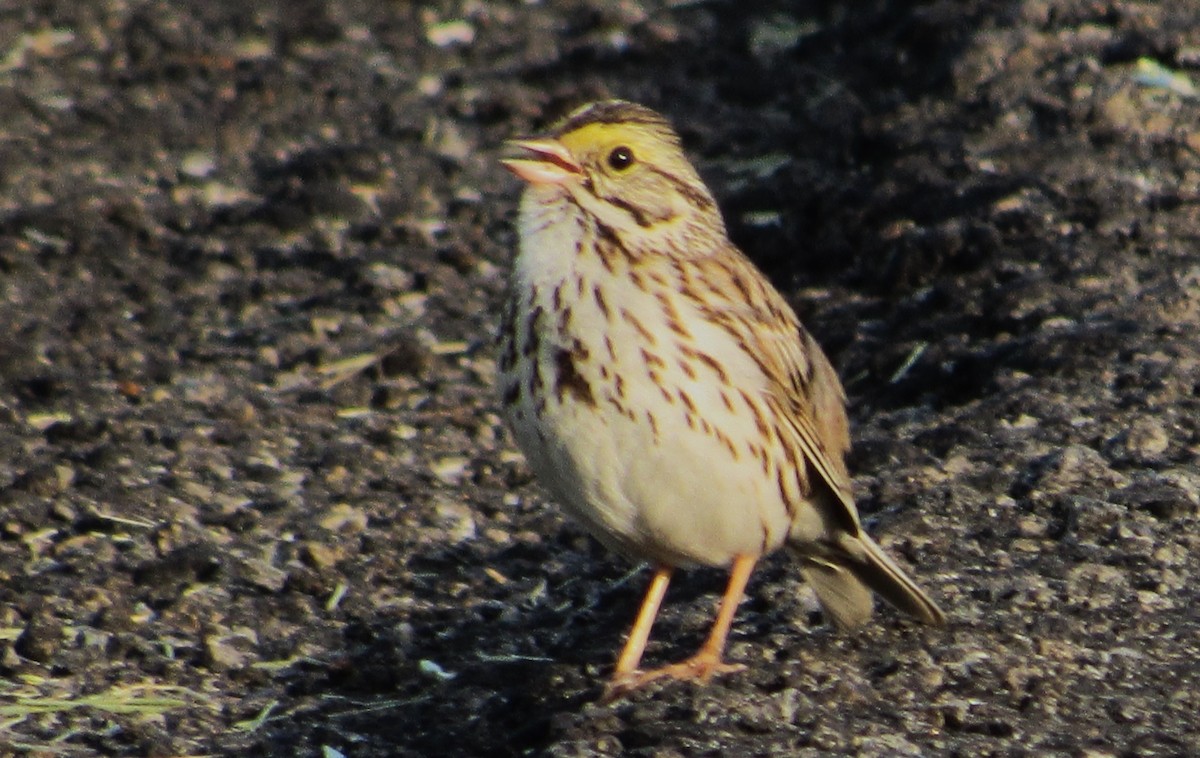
x=844, y=582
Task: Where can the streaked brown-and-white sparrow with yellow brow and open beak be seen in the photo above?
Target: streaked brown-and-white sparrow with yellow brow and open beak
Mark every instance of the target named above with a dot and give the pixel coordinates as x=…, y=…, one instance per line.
x=667, y=394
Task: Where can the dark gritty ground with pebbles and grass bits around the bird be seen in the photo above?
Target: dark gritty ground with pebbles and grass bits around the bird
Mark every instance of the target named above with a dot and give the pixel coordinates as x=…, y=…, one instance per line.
x=255, y=495
